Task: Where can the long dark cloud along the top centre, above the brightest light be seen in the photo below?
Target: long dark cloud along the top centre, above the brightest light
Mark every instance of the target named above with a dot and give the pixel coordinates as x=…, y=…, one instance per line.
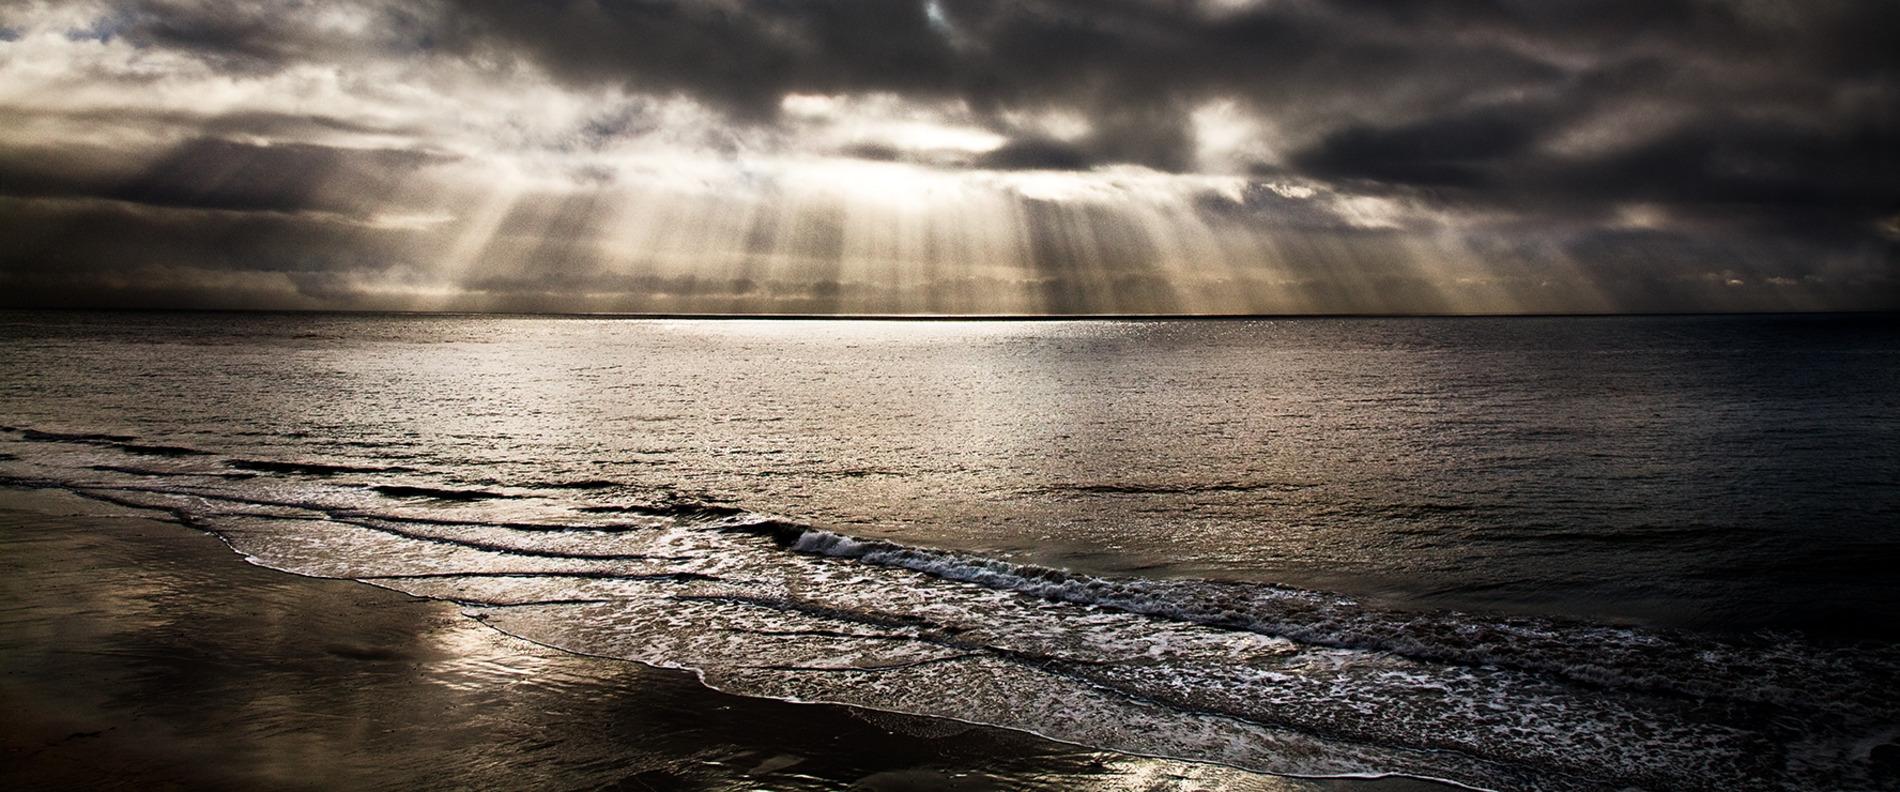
x=1133, y=69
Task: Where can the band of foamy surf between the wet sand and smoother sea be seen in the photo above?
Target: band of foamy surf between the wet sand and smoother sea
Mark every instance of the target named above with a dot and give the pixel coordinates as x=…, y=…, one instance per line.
x=1261, y=677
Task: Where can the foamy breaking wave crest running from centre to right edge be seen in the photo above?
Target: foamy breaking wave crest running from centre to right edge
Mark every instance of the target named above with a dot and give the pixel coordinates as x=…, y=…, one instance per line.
x=1599, y=656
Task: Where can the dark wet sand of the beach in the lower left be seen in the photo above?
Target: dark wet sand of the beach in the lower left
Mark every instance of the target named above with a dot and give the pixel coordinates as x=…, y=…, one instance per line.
x=143, y=654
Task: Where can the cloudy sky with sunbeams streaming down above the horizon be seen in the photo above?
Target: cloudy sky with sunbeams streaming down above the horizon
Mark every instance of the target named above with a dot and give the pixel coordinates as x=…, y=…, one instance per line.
x=953, y=157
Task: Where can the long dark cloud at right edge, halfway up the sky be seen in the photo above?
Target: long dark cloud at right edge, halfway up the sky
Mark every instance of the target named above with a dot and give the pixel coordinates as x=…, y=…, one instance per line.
x=1753, y=170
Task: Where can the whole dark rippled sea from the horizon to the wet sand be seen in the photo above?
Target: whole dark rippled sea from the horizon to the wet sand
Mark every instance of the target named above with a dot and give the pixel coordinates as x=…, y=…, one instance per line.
x=1510, y=554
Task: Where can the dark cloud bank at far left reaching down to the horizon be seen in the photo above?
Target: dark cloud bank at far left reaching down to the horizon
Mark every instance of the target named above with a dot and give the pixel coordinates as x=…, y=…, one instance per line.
x=206, y=223
